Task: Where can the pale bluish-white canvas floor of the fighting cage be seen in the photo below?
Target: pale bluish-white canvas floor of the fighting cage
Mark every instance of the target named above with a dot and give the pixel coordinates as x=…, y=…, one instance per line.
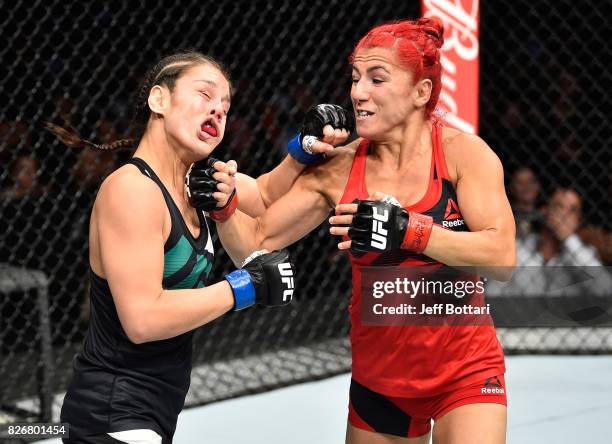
x=560, y=399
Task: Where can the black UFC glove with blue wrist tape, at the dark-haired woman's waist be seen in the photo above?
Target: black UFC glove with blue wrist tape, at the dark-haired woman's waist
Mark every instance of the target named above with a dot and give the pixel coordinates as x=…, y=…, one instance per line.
x=266, y=280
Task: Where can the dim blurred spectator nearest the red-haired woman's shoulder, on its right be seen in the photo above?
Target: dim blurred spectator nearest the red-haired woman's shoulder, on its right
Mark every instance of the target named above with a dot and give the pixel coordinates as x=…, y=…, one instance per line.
x=524, y=195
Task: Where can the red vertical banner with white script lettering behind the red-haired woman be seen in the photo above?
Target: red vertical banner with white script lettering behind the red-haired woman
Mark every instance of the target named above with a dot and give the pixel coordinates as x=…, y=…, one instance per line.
x=460, y=60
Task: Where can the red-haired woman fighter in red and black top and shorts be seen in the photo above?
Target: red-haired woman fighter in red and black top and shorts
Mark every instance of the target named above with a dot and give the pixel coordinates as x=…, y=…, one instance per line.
x=453, y=210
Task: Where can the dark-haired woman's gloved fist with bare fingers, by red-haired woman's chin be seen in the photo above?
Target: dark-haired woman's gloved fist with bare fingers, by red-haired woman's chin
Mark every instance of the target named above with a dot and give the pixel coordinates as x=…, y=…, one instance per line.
x=323, y=127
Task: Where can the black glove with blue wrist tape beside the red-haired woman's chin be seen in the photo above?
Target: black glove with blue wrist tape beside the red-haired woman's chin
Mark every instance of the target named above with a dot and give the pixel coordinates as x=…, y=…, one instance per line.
x=312, y=129
